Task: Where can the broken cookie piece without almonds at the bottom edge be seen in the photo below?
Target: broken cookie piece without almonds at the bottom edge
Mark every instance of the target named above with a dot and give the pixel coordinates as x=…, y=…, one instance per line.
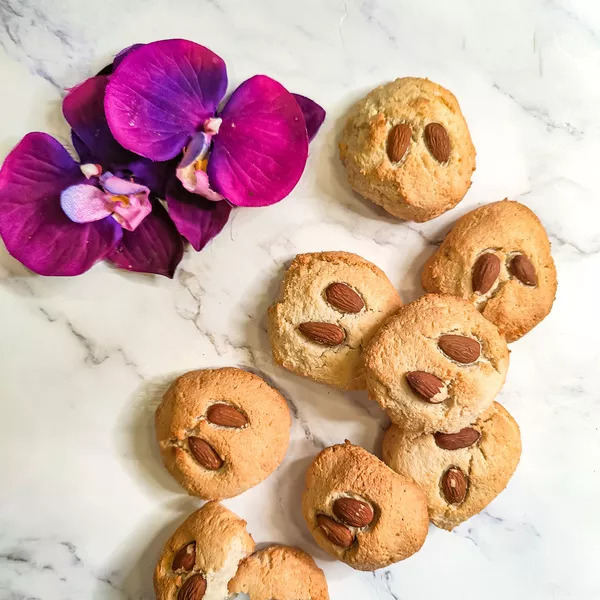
x=281, y=573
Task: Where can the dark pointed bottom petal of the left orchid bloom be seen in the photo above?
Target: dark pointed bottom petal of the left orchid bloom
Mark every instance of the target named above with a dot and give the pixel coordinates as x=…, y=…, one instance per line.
x=154, y=247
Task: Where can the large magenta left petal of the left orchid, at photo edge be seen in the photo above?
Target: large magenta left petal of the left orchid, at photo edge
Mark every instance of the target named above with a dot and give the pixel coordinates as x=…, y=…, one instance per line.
x=33, y=226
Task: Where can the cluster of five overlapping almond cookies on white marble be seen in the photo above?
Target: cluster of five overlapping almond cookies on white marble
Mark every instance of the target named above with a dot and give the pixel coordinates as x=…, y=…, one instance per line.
x=435, y=366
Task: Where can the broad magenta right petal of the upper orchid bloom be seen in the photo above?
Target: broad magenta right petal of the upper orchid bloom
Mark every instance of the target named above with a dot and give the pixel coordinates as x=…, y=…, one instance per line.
x=260, y=151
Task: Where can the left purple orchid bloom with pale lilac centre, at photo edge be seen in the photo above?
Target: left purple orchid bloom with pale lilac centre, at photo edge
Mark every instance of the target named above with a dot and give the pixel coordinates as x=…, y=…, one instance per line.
x=60, y=217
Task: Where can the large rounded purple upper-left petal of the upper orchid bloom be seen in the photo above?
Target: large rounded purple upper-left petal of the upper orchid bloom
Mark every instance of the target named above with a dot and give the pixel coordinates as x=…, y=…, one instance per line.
x=161, y=94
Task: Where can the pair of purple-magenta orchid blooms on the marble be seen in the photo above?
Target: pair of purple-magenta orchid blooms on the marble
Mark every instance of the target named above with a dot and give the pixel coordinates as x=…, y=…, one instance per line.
x=165, y=141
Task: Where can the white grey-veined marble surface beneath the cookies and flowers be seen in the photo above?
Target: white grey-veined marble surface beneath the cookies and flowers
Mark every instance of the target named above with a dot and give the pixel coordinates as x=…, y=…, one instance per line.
x=85, y=504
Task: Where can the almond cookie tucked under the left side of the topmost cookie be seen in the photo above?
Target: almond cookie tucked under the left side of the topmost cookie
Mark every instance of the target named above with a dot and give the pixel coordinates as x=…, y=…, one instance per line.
x=330, y=305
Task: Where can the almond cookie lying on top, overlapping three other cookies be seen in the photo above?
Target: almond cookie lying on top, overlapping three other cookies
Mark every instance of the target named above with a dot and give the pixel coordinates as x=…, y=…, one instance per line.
x=436, y=365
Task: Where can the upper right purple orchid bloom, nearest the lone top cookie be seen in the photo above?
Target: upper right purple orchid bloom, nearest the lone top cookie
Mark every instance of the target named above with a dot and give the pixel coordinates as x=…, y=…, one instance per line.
x=163, y=98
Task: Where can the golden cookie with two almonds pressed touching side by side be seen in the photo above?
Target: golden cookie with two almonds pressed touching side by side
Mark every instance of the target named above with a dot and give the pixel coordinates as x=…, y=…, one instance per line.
x=362, y=512
